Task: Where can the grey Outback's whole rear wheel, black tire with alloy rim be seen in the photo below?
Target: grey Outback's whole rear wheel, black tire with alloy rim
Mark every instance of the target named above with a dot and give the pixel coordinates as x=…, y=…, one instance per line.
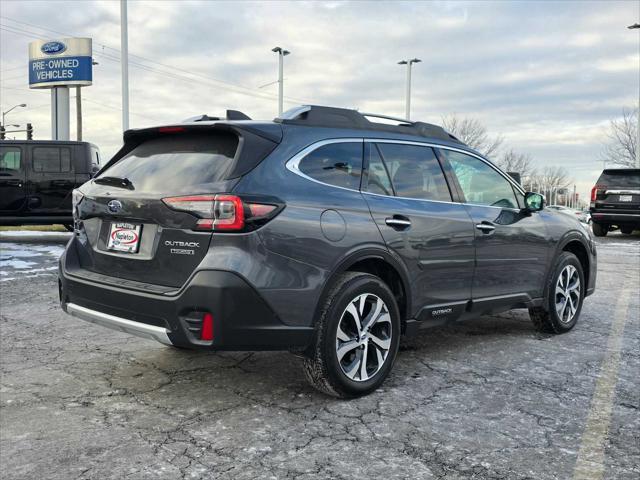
x=357, y=337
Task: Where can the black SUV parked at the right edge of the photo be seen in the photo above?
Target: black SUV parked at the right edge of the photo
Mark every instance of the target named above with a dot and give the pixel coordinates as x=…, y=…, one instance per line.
x=615, y=201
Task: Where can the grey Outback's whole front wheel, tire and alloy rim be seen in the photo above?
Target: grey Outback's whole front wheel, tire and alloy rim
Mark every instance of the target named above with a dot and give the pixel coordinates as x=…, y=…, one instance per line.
x=564, y=296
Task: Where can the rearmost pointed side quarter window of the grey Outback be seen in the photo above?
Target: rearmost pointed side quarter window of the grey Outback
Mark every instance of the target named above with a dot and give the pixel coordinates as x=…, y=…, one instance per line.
x=338, y=164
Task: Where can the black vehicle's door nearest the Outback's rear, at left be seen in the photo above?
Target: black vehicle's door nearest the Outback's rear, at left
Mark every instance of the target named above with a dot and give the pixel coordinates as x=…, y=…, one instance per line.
x=51, y=179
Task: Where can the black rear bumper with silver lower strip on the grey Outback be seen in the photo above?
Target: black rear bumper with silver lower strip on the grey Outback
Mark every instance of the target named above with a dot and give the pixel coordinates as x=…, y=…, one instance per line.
x=242, y=320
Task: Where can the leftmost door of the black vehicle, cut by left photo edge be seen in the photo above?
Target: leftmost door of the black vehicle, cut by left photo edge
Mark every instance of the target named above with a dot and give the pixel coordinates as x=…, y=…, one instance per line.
x=12, y=179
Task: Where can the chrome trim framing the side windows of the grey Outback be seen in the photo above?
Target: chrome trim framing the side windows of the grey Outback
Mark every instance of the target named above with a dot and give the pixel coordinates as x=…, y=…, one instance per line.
x=293, y=165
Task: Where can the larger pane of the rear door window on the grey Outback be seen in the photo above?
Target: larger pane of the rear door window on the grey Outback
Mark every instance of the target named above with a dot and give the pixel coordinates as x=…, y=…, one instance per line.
x=415, y=172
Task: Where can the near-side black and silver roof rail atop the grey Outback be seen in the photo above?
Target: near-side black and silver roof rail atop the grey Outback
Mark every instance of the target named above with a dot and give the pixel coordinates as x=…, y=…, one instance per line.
x=321, y=116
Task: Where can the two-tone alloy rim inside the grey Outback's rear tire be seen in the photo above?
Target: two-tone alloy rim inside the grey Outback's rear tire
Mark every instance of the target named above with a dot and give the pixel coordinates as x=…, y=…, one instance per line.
x=363, y=337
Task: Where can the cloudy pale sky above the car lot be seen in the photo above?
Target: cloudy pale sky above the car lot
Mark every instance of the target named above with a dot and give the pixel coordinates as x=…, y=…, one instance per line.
x=548, y=76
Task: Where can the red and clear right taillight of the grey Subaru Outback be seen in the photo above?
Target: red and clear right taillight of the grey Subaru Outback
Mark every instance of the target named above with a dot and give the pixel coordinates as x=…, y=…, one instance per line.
x=223, y=212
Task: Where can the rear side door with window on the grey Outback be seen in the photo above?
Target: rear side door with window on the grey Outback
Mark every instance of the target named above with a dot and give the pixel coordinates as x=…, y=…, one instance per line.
x=412, y=206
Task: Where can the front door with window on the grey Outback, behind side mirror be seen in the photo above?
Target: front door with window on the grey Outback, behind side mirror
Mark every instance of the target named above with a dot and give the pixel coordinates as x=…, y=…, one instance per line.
x=512, y=246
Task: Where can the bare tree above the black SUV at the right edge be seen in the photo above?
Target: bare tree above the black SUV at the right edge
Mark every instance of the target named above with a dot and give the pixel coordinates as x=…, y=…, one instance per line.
x=621, y=148
